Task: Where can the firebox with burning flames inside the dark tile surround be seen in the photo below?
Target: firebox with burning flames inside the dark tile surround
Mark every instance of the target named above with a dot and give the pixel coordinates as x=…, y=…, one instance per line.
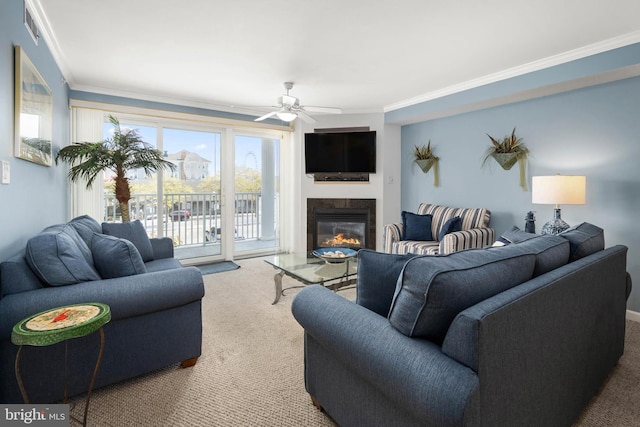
x=341, y=227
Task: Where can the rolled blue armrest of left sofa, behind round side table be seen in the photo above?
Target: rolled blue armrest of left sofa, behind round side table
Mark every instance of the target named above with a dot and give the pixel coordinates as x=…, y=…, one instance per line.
x=126, y=296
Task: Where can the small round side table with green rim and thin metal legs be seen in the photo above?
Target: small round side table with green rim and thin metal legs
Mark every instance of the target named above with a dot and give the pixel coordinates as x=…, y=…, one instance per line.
x=61, y=324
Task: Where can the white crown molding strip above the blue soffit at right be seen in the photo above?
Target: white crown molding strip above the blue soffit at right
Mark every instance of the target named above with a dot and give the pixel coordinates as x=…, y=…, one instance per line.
x=572, y=55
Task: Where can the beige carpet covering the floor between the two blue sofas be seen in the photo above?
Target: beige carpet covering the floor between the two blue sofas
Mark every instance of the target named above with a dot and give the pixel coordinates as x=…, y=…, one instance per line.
x=251, y=369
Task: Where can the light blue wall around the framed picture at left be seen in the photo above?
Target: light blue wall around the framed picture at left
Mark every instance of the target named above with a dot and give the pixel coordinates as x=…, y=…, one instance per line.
x=37, y=196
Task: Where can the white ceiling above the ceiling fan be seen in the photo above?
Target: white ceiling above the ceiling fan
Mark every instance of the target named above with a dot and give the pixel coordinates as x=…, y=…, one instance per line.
x=358, y=55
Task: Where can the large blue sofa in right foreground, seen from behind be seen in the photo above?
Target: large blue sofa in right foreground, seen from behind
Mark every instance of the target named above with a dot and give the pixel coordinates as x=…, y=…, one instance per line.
x=520, y=335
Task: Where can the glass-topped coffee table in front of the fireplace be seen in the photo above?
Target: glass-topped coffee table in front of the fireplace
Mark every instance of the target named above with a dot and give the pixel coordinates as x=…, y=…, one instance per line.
x=310, y=271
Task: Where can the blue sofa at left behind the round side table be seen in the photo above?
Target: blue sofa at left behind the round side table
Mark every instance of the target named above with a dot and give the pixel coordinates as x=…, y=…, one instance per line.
x=155, y=306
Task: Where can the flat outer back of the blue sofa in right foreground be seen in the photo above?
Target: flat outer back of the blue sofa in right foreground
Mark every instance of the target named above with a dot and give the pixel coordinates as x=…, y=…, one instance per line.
x=559, y=332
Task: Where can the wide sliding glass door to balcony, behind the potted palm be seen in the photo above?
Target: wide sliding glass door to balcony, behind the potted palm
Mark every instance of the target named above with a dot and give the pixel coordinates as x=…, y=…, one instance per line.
x=223, y=199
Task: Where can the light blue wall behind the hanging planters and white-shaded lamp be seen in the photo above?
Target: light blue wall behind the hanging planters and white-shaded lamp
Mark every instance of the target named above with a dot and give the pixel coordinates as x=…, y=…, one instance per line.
x=593, y=131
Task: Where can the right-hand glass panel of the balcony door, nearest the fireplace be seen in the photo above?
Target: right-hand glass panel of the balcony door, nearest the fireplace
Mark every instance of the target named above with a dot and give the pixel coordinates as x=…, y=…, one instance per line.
x=256, y=198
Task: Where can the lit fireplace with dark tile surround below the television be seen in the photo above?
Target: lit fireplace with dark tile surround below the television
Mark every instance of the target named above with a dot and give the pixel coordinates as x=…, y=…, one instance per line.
x=343, y=223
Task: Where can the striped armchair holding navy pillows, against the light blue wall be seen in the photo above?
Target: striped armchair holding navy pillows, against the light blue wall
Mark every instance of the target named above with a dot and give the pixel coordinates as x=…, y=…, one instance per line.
x=475, y=232
